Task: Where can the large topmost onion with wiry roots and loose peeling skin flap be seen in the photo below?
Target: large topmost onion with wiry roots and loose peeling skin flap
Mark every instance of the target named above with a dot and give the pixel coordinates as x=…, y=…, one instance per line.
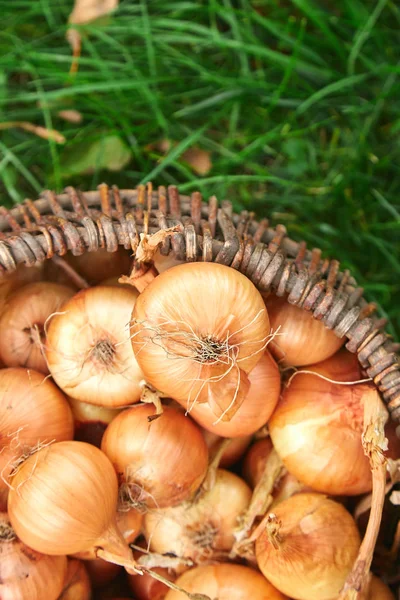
x=197, y=331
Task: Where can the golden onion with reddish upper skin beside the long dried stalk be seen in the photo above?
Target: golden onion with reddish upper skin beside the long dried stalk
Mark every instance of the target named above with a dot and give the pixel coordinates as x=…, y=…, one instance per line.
x=317, y=427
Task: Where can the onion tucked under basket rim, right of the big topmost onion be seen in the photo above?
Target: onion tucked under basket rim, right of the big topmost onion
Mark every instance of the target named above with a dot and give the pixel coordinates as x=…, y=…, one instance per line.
x=303, y=340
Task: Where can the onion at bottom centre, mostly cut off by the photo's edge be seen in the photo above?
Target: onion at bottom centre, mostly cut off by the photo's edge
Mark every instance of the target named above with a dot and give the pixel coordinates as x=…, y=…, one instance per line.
x=225, y=582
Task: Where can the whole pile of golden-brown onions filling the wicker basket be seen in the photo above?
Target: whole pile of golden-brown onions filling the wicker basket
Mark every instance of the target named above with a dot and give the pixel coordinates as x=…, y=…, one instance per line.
x=113, y=437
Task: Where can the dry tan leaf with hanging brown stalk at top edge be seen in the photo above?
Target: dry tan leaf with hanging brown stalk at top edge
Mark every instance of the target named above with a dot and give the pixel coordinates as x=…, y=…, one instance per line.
x=83, y=12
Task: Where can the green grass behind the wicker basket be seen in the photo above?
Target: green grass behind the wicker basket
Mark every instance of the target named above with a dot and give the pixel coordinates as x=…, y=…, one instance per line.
x=297, y=101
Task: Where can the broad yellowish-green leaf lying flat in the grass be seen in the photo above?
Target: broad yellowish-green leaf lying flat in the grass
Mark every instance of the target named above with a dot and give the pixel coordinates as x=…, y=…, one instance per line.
x=108, y=152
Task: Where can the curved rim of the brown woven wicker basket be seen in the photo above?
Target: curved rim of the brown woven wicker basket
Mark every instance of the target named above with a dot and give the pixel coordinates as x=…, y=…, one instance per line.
x=107, y=218
